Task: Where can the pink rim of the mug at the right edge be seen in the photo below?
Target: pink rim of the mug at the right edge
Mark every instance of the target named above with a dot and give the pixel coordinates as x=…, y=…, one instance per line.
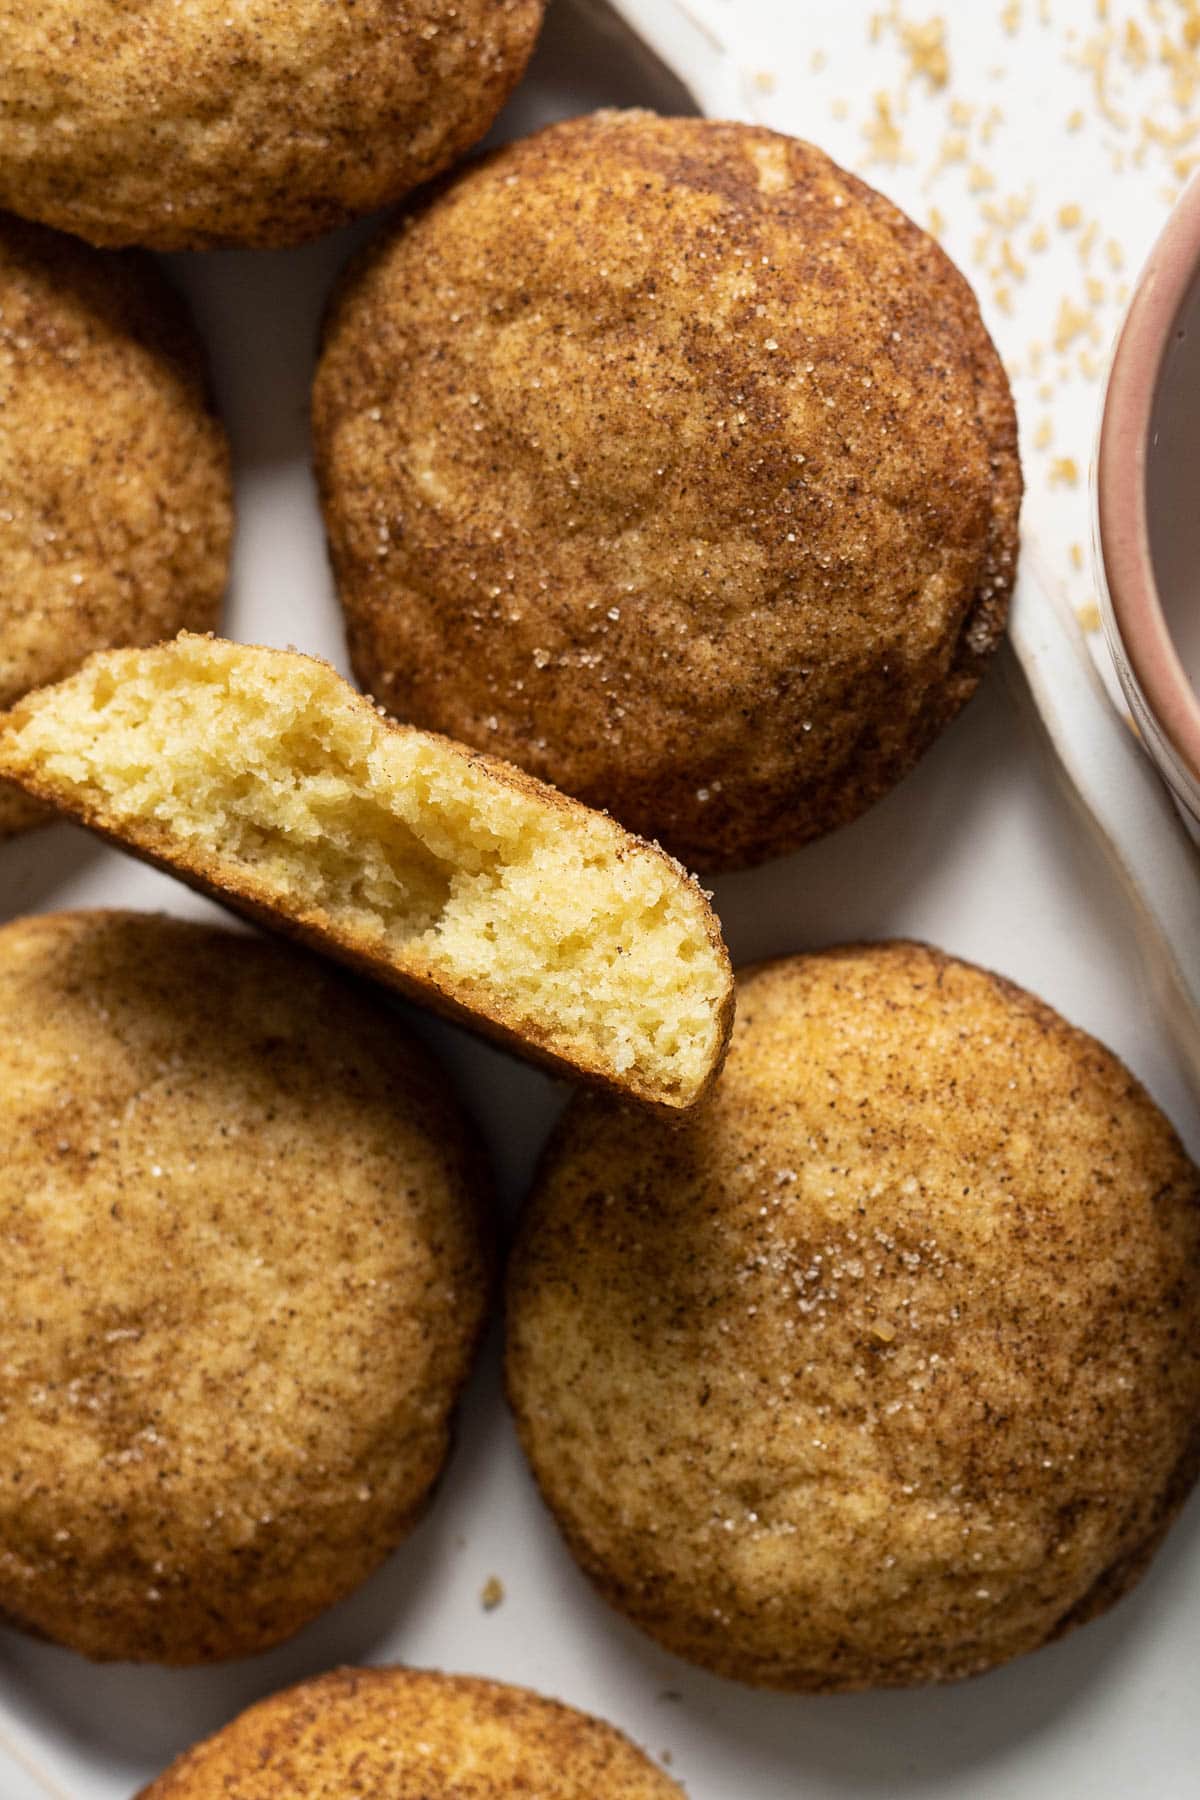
x=1122, y=510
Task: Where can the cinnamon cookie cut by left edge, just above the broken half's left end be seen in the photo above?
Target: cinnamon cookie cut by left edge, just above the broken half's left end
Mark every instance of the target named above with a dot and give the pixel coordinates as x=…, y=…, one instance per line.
x=116, y=507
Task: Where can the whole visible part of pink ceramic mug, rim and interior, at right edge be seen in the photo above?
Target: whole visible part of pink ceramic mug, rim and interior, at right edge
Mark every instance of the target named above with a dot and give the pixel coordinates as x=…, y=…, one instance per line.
x=1147, y=489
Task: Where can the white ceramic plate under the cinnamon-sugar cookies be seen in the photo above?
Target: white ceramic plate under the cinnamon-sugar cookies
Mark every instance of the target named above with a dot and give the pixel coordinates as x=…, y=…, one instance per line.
x=980, y=852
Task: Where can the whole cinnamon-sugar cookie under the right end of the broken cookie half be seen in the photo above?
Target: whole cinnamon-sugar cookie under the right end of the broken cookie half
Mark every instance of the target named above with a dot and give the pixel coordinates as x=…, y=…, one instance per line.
x=882, y=1367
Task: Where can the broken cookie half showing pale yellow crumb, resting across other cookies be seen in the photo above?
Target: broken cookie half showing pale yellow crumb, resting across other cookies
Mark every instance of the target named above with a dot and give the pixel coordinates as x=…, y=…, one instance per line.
x=265, y=780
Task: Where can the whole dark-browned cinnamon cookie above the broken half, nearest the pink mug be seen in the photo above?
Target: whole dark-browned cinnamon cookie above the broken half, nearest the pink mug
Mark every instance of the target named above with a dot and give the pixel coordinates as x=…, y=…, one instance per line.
x=676, y=465
